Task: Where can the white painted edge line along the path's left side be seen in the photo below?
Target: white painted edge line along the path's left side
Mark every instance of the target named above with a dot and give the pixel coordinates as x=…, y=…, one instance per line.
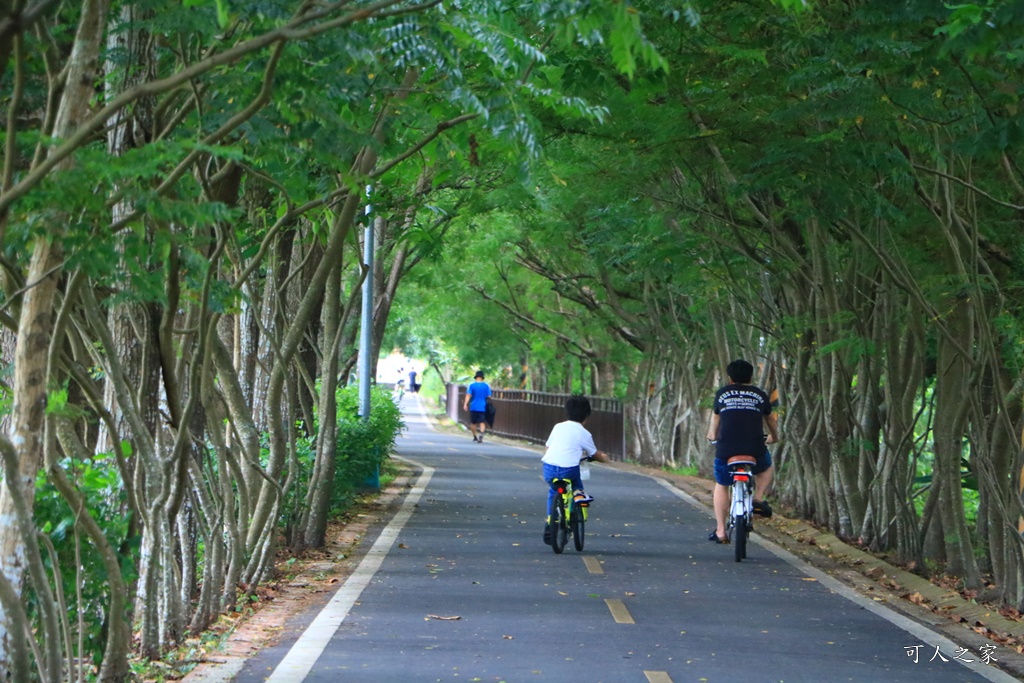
x=301, y=660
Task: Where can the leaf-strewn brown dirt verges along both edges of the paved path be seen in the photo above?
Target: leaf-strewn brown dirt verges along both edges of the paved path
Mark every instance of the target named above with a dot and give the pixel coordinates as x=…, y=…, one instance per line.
x=309, y=582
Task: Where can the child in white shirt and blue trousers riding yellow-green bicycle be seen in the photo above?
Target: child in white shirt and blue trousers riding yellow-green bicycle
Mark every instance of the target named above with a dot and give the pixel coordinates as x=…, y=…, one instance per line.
x=570, y=442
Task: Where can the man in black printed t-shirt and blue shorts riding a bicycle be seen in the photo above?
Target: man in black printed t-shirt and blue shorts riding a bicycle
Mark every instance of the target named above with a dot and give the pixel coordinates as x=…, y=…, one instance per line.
x=742, y=413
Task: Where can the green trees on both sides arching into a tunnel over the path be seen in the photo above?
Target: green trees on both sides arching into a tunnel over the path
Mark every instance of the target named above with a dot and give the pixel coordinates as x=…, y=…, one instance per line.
x=620, y=197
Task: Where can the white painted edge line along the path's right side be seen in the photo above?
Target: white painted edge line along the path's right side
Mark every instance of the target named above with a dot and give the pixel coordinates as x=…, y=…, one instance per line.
x=920, y=632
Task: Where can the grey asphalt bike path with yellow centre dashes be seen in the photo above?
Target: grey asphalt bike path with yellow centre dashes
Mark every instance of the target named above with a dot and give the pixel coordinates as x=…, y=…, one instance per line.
x=463, y=589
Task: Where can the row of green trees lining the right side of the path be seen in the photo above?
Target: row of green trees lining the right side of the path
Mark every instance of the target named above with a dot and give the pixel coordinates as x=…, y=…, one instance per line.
x=831, y=192
